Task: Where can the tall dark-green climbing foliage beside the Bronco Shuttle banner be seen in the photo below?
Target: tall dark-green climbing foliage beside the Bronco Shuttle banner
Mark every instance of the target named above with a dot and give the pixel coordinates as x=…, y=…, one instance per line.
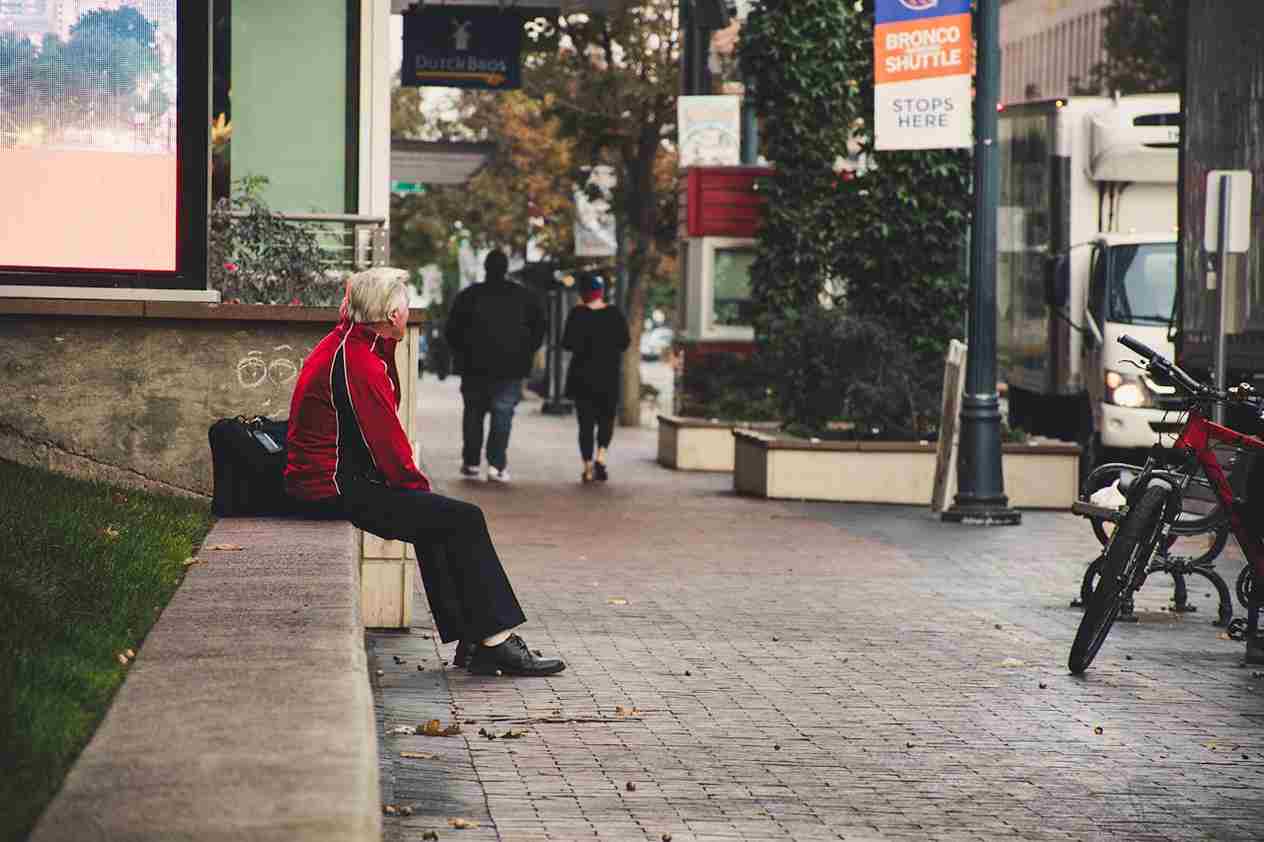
x=879, y=235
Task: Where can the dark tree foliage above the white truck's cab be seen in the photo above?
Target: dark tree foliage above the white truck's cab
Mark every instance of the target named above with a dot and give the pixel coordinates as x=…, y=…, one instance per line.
x=1146, y=49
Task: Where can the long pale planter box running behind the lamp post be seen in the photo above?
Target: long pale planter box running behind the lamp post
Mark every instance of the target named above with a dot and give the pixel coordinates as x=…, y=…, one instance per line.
x=1041, y=476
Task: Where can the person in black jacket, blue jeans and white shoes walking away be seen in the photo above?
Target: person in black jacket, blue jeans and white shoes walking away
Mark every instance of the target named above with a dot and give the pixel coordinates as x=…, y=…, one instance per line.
x=494, y=332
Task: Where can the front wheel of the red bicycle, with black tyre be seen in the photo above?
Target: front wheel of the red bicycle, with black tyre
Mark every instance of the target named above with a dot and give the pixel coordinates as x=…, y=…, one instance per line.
x=1126, y=563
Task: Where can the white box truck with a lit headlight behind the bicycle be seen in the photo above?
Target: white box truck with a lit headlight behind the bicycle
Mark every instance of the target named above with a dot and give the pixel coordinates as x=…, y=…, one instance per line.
x=1086, y=252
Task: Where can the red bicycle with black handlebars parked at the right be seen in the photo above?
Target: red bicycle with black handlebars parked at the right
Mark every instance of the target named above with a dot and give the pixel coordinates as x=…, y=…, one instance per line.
x=1155, y=504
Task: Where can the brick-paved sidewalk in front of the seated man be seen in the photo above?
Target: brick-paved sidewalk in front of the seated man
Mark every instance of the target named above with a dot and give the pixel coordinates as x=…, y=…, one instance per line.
x=807, y=672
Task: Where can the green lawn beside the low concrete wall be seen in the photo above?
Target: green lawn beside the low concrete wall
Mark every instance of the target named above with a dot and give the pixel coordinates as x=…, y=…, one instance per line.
x=83, y=578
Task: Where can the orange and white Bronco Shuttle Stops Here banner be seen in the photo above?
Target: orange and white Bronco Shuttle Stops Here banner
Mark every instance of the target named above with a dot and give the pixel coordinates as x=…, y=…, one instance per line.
x=923, y=65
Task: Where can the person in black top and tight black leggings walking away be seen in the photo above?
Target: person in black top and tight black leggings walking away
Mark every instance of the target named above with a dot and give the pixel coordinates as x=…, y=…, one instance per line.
x=597, y=336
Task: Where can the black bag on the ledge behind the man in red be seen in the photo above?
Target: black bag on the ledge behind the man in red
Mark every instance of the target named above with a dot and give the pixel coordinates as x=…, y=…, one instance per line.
x=250, y=463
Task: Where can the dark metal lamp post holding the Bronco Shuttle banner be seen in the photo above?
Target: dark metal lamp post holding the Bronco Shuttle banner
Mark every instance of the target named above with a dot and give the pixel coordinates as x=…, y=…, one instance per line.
x=980, y=485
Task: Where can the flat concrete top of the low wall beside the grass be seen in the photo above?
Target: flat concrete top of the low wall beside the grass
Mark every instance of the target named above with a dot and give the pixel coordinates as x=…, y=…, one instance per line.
x=248, y=712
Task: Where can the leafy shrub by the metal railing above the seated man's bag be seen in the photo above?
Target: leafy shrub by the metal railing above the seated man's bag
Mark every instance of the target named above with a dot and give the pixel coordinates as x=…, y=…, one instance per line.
x=258, y=257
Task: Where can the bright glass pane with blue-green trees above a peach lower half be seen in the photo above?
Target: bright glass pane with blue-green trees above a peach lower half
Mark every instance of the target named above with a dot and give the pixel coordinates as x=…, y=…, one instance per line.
x=89, y=137
